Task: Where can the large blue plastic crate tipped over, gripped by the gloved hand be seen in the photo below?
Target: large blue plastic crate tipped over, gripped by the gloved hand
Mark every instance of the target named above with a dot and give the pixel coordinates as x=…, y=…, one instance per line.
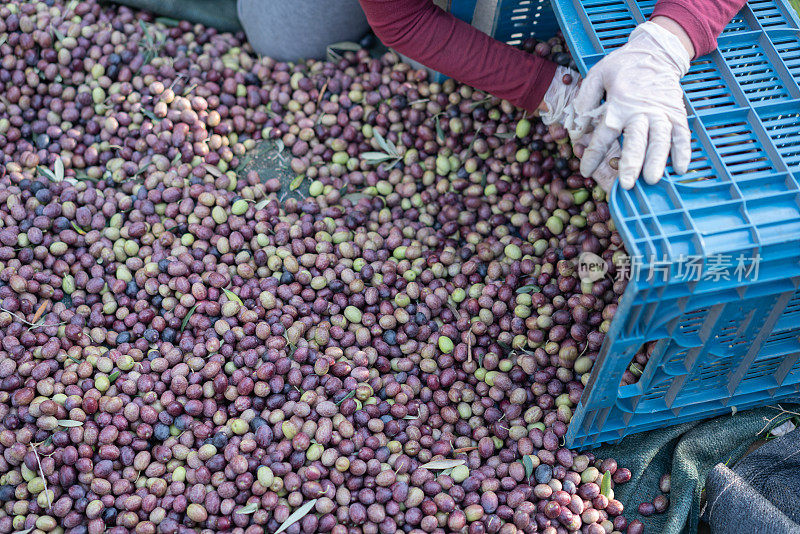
x=724, y=344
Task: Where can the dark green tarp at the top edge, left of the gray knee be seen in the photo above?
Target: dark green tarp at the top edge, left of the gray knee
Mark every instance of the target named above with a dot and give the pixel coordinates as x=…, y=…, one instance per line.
x=219, y=14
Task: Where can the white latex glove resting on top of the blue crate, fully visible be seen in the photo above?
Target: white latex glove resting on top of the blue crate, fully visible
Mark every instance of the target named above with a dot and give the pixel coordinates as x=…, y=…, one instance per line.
x=644, y=100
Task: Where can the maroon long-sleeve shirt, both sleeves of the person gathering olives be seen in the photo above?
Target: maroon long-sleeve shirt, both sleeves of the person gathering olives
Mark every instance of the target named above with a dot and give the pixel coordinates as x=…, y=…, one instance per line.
x=437, y=39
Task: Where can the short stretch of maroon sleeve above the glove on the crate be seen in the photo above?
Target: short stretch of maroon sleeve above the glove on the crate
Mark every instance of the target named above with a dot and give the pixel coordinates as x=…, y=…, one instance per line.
x=702, y=20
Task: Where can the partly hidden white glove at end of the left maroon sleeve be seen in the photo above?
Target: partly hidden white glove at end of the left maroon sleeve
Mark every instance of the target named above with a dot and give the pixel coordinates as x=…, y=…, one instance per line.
x=558, y=99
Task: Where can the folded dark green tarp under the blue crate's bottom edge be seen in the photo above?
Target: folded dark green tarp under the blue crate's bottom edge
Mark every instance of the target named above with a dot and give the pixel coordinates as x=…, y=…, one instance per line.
x=689, y=452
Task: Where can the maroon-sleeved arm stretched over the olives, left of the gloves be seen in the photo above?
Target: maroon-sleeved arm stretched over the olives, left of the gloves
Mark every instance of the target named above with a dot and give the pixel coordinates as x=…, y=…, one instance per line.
x=440, y=41
